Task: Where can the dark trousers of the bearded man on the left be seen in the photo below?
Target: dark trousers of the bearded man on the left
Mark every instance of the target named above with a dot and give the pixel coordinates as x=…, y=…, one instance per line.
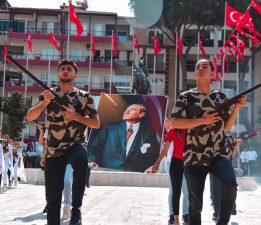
x=54, y=180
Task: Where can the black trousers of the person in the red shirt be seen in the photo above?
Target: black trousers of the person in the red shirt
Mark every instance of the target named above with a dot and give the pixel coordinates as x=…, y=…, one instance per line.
x=176, y=170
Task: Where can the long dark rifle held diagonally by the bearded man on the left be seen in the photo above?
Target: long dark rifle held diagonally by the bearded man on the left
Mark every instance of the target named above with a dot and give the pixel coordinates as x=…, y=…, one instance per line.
x=57, y=99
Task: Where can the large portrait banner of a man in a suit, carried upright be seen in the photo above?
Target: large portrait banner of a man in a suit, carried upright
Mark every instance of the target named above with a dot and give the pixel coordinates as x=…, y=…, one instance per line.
x=109, y=146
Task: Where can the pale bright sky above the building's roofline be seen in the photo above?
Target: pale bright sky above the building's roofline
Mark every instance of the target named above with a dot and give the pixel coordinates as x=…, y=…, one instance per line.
x=119, y=6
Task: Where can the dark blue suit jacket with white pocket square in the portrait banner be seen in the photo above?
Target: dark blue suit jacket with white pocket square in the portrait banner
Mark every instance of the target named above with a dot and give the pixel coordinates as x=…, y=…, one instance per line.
x=108, y=148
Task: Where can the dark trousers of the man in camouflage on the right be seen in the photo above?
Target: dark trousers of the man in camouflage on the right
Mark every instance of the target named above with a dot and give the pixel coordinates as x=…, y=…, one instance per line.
x=222, y=169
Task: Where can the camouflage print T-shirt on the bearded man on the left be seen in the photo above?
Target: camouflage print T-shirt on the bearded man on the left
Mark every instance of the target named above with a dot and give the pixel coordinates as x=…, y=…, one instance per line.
x=63, y=133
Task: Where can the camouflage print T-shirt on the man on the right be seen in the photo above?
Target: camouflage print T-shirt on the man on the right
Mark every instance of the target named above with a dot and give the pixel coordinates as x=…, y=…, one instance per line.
x=205, y=142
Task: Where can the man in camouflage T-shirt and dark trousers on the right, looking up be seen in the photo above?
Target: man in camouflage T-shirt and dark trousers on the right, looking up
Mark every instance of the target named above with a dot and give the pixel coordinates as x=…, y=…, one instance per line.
x=205, y=150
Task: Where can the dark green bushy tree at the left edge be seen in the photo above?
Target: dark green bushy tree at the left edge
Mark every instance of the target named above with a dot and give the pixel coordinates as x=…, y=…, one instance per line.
x=14, y=110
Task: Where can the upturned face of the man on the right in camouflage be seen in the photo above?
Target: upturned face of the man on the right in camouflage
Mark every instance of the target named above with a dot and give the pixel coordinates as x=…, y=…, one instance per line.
x=203, y=71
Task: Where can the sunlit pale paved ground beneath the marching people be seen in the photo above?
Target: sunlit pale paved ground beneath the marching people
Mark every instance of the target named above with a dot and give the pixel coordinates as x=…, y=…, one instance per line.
x=107, y=205
